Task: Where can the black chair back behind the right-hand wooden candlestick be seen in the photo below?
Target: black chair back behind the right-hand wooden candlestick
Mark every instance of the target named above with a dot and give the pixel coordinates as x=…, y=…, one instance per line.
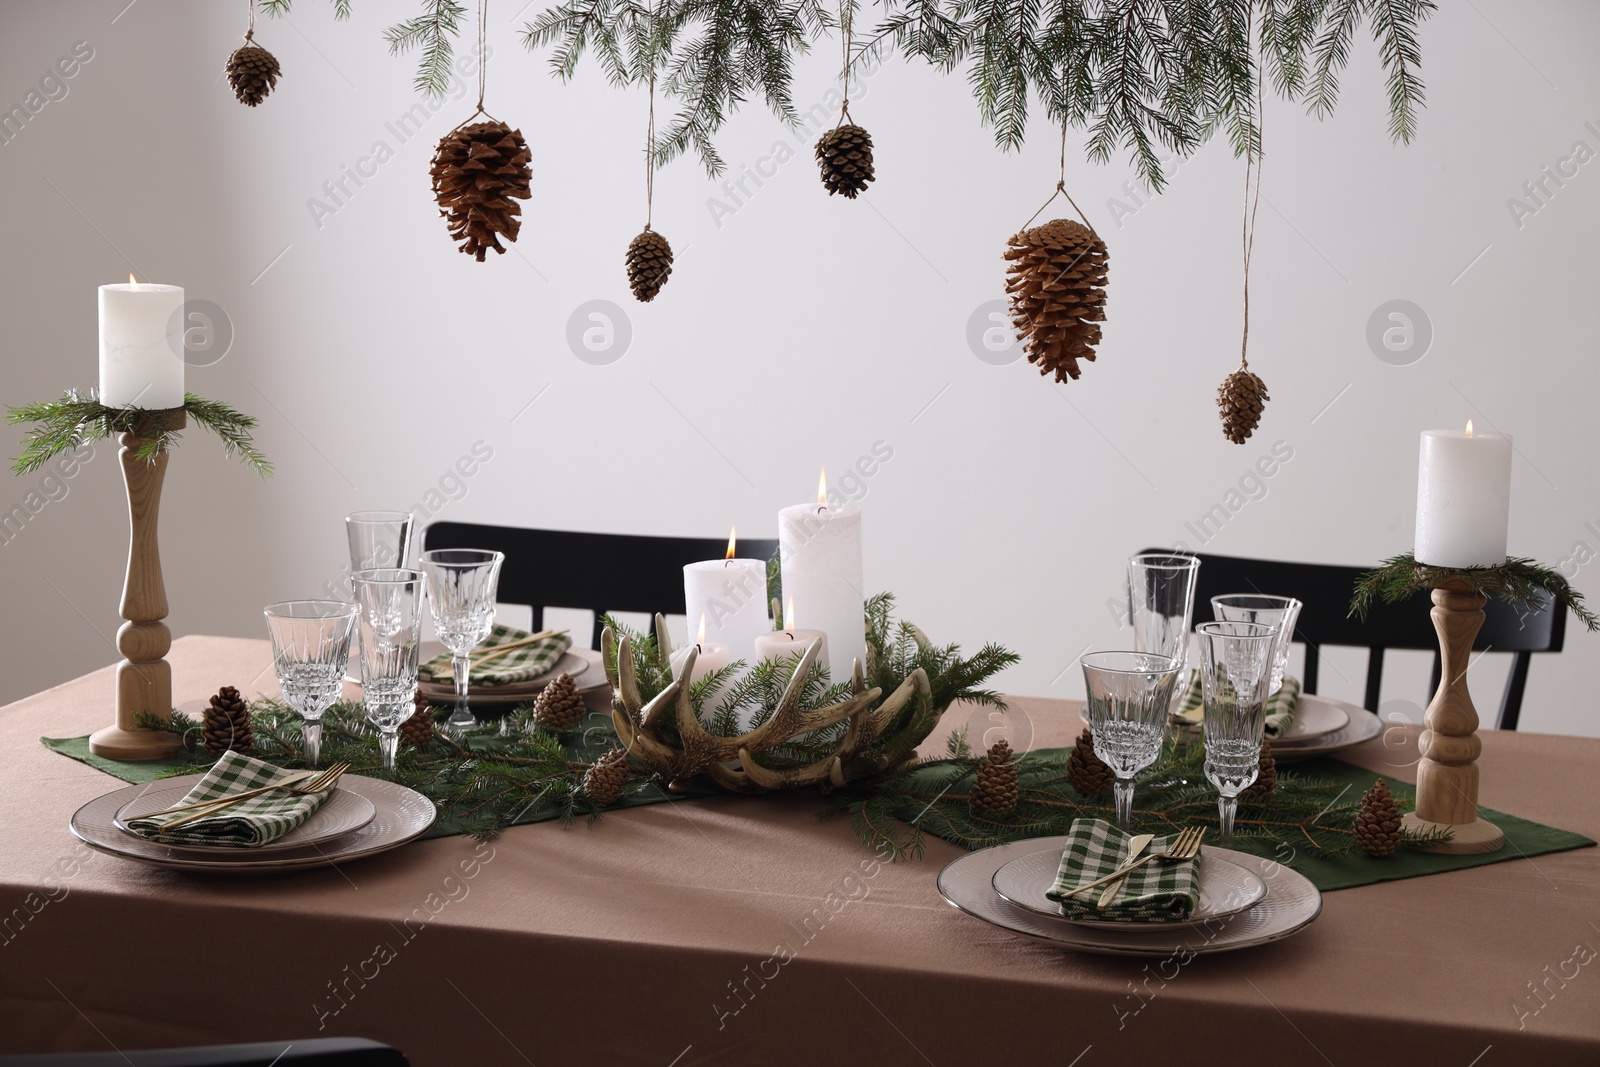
x=1326, y=620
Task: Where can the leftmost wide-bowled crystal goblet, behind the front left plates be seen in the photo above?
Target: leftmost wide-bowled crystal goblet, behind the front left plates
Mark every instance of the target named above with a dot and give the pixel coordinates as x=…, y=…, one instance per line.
x=311, y=650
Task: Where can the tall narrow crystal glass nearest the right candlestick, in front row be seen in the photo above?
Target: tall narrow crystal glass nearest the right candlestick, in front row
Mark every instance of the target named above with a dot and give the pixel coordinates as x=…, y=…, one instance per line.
x=1236, y=666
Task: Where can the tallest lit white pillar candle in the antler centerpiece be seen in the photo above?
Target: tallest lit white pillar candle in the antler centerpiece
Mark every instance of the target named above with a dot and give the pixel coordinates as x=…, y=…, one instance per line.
x=820, y=548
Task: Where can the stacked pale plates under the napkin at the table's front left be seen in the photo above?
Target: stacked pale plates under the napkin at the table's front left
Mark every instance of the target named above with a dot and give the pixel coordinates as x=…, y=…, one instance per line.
x=364, y=817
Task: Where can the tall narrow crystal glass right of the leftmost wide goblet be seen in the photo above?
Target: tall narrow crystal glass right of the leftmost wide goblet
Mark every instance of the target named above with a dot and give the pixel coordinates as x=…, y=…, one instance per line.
x=391, y=628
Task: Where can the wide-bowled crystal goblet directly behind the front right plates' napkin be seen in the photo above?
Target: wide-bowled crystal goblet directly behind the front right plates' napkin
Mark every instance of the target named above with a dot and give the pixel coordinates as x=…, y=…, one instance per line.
x=1129, y=695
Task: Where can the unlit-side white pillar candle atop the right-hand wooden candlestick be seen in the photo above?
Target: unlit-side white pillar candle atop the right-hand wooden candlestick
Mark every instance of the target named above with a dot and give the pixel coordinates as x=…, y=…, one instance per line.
x=1463, y=498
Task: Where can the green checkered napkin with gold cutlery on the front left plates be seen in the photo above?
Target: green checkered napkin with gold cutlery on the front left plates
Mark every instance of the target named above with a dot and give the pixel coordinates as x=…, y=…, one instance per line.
x=246, y=825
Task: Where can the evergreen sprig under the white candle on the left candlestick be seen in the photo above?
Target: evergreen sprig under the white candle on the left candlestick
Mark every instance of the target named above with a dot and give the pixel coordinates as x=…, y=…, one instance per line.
x=78, y=420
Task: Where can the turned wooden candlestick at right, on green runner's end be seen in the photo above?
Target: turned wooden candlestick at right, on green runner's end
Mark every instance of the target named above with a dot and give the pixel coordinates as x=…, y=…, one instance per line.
x=1447, y=780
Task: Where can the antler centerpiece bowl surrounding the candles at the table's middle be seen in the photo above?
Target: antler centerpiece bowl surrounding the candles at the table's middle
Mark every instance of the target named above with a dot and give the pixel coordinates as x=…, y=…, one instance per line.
x=668, y=738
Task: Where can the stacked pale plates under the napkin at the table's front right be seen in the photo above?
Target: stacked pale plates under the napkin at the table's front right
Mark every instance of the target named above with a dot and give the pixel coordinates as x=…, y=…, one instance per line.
x=1244, y=901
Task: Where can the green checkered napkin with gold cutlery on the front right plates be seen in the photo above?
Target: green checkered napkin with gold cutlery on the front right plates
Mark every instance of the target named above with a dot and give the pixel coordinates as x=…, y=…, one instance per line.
x=1158, y=893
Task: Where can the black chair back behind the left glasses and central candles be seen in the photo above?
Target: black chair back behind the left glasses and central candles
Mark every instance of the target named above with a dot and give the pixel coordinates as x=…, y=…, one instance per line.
x=558, y=569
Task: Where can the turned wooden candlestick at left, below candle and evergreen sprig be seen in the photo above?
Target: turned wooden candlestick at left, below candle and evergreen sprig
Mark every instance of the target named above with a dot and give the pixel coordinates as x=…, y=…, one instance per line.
x=145, y=681
